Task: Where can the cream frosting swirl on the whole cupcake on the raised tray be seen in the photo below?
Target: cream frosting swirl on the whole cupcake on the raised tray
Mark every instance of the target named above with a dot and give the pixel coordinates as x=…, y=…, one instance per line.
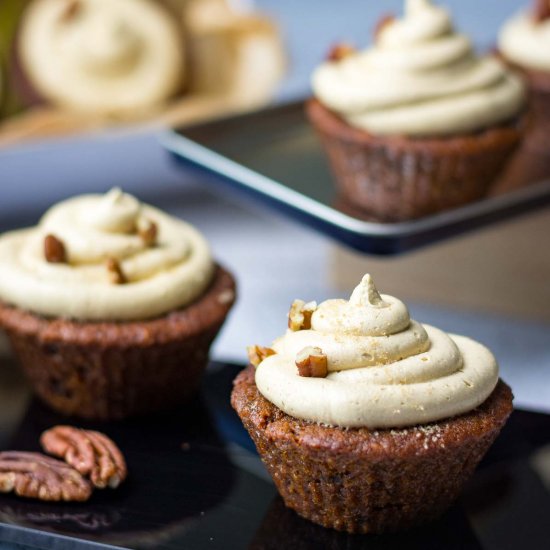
x=420, y=78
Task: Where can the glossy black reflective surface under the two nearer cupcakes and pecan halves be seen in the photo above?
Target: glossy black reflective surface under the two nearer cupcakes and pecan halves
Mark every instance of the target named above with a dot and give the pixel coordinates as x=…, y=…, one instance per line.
x=196, y=483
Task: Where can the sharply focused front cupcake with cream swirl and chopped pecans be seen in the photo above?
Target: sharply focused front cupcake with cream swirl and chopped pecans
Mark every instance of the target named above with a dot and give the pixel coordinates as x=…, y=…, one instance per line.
x=369, y=421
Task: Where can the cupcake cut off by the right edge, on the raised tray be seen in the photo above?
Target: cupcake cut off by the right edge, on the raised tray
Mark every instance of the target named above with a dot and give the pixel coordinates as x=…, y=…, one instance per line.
x=524, y=43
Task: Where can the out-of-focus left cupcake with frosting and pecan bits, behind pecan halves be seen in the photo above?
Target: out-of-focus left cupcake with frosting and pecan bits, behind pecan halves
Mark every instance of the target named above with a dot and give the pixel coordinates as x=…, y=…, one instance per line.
x=111, y=306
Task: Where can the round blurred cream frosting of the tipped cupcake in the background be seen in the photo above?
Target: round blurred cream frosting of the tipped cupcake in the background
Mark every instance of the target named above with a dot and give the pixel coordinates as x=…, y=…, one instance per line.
x=102, y=55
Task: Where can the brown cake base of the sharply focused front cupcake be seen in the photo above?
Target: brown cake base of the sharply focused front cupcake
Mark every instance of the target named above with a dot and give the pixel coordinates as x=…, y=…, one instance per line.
x=364, y=481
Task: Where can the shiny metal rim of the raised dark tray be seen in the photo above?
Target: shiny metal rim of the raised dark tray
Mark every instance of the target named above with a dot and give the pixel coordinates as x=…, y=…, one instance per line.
x=339, y=225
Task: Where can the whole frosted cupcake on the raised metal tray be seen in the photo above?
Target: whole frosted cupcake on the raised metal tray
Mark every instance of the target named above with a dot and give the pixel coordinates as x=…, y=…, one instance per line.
x=418, y=123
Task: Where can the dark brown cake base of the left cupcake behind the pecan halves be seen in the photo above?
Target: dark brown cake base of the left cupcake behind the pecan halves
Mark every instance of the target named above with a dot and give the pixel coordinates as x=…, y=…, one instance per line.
x=109, y=370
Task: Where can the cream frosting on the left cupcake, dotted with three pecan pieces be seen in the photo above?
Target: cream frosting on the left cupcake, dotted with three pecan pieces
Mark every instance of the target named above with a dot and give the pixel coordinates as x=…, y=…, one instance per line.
x=93, y=228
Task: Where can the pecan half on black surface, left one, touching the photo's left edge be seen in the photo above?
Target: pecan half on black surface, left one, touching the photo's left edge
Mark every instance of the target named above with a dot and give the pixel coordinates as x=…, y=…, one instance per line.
x=35, y=475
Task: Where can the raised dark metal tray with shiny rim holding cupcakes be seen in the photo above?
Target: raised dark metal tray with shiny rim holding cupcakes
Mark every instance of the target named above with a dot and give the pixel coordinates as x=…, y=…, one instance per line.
x=274, y=155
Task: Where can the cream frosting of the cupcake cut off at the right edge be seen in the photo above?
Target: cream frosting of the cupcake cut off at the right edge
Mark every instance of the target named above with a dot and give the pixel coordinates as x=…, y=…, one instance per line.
x=526, y=42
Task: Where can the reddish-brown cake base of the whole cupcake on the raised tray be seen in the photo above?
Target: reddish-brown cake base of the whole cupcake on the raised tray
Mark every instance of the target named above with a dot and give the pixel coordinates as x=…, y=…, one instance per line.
x=396, y=178
